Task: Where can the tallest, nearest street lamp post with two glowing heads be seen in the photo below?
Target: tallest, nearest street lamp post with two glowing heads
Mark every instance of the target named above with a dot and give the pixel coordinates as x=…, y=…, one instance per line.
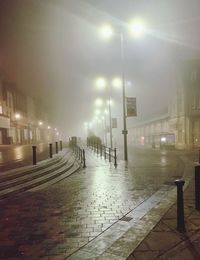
x=137, y=28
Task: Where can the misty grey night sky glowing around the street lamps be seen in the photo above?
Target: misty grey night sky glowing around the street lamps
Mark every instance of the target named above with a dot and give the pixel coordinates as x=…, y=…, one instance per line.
x=53, y=51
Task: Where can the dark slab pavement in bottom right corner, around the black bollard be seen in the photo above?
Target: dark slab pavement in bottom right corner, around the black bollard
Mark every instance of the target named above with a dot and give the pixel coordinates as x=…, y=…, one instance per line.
x=165, y=242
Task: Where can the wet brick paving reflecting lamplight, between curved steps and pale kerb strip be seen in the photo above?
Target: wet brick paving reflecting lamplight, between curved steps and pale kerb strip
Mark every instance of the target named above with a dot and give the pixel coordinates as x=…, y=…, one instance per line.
x=56, y=222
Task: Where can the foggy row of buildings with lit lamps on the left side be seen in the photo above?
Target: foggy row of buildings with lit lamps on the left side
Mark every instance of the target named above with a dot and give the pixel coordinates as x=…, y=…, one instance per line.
x=22, y=120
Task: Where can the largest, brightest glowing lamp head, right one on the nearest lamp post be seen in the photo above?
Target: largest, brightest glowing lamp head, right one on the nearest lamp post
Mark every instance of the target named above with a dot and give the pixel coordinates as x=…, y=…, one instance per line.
x=137, y=27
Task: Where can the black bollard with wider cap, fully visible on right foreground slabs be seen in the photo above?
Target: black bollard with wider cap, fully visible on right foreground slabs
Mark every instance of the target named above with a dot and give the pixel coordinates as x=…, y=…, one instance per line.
x=180, y=206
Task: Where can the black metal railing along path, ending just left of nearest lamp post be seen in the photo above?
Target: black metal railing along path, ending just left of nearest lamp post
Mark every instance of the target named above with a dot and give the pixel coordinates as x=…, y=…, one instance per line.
x=103, y=151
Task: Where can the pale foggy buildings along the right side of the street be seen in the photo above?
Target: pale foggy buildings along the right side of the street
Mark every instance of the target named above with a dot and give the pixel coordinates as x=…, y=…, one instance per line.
x=180, y=127
